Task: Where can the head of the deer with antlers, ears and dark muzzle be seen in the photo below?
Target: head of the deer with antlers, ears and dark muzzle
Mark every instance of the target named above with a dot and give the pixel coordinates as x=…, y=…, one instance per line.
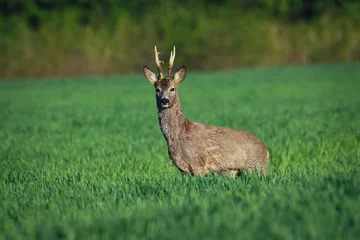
x=165, y=87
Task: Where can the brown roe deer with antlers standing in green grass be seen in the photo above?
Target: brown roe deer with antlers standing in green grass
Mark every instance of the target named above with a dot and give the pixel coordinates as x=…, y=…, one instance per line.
x=196, y=148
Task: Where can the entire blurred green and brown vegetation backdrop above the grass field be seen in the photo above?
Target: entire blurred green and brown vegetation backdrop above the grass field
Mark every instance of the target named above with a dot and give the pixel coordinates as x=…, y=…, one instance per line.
x=41, y=38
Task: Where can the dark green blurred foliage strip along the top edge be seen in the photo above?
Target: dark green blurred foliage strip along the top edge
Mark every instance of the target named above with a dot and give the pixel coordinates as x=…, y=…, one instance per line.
x=92, y=9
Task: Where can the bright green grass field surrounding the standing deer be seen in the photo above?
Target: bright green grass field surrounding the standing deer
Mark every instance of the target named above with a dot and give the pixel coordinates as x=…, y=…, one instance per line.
x=86, y=159
